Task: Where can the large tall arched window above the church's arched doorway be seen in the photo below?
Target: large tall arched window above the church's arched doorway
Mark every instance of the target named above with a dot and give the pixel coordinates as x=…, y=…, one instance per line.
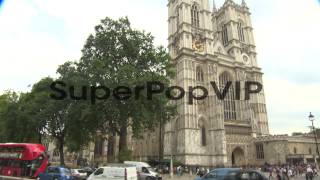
x=229, y=105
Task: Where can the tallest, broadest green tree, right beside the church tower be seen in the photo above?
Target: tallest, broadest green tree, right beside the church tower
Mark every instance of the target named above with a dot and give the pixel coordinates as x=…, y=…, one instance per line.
x=118, y=55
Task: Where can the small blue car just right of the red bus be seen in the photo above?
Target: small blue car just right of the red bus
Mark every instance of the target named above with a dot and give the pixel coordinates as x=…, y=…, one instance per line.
x=56, y=173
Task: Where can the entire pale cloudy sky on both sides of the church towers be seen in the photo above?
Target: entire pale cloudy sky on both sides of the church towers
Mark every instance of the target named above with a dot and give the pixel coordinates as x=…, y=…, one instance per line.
x=38, y=35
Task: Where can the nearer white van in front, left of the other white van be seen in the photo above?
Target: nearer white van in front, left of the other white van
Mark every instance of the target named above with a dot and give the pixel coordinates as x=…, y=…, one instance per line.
x=115, y=172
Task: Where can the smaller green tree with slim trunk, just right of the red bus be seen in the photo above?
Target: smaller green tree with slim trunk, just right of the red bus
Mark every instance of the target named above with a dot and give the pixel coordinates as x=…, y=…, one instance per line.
x=56, y=118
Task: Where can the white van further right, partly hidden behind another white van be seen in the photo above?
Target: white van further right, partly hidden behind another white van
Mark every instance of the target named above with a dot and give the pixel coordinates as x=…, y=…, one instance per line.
x=145, y=171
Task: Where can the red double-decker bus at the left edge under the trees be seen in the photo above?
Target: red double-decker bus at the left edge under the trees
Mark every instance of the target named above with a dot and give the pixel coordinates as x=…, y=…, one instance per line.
x=22, y=160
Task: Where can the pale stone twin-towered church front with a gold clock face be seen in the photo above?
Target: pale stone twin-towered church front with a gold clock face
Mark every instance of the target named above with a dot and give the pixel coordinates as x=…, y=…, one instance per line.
x=214, y=45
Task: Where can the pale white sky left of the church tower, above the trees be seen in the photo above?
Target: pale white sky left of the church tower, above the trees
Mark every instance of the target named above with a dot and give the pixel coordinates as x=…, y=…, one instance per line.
x=28, y=56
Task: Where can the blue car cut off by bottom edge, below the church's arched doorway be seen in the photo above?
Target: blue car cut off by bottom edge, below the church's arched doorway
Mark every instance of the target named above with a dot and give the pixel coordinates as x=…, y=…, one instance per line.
x=232, y=174
